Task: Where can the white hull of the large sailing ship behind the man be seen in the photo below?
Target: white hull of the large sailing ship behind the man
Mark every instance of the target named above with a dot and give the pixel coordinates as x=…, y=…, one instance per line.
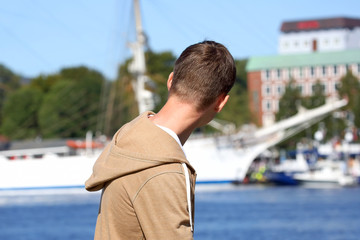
x=214, y=164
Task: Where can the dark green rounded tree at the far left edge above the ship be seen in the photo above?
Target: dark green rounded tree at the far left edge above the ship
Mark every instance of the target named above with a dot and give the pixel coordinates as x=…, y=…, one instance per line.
x=20, y=113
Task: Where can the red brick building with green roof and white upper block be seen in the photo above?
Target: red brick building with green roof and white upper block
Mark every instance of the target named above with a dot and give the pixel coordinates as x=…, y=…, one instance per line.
x=309, y=51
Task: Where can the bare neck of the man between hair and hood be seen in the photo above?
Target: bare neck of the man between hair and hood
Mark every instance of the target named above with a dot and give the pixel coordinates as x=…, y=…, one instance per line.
x=182, y=118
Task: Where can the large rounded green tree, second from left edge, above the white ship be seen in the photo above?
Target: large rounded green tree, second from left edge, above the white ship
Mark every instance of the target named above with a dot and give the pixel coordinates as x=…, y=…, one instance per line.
x=72, y=105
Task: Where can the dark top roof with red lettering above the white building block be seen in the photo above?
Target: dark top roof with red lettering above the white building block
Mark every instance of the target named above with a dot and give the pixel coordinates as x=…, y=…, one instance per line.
x=320, y=24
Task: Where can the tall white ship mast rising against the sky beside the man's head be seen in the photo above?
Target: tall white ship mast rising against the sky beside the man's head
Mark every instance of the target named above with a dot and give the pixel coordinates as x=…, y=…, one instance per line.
x=145, y=98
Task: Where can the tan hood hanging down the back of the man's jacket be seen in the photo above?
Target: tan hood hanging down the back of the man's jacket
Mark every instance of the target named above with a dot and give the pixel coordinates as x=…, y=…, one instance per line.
x=137, y=146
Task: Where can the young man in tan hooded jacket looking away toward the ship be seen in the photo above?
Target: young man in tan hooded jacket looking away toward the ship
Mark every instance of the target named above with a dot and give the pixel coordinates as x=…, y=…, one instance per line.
x=148, y=184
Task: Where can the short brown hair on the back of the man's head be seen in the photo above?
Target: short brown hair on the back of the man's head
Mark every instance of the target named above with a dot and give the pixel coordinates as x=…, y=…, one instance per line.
x=203, y=72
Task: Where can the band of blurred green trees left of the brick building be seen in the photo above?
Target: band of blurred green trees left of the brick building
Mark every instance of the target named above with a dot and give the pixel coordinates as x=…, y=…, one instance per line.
x=78, y=99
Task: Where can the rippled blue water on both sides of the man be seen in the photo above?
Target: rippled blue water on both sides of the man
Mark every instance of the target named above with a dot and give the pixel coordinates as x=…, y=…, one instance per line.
x=247, y=212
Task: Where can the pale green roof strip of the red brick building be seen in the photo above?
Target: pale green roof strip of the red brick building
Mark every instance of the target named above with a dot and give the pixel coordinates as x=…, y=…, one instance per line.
x=302, y=60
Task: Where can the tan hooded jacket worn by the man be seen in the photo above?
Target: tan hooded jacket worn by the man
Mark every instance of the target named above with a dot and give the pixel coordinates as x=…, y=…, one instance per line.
x=144, y=190
